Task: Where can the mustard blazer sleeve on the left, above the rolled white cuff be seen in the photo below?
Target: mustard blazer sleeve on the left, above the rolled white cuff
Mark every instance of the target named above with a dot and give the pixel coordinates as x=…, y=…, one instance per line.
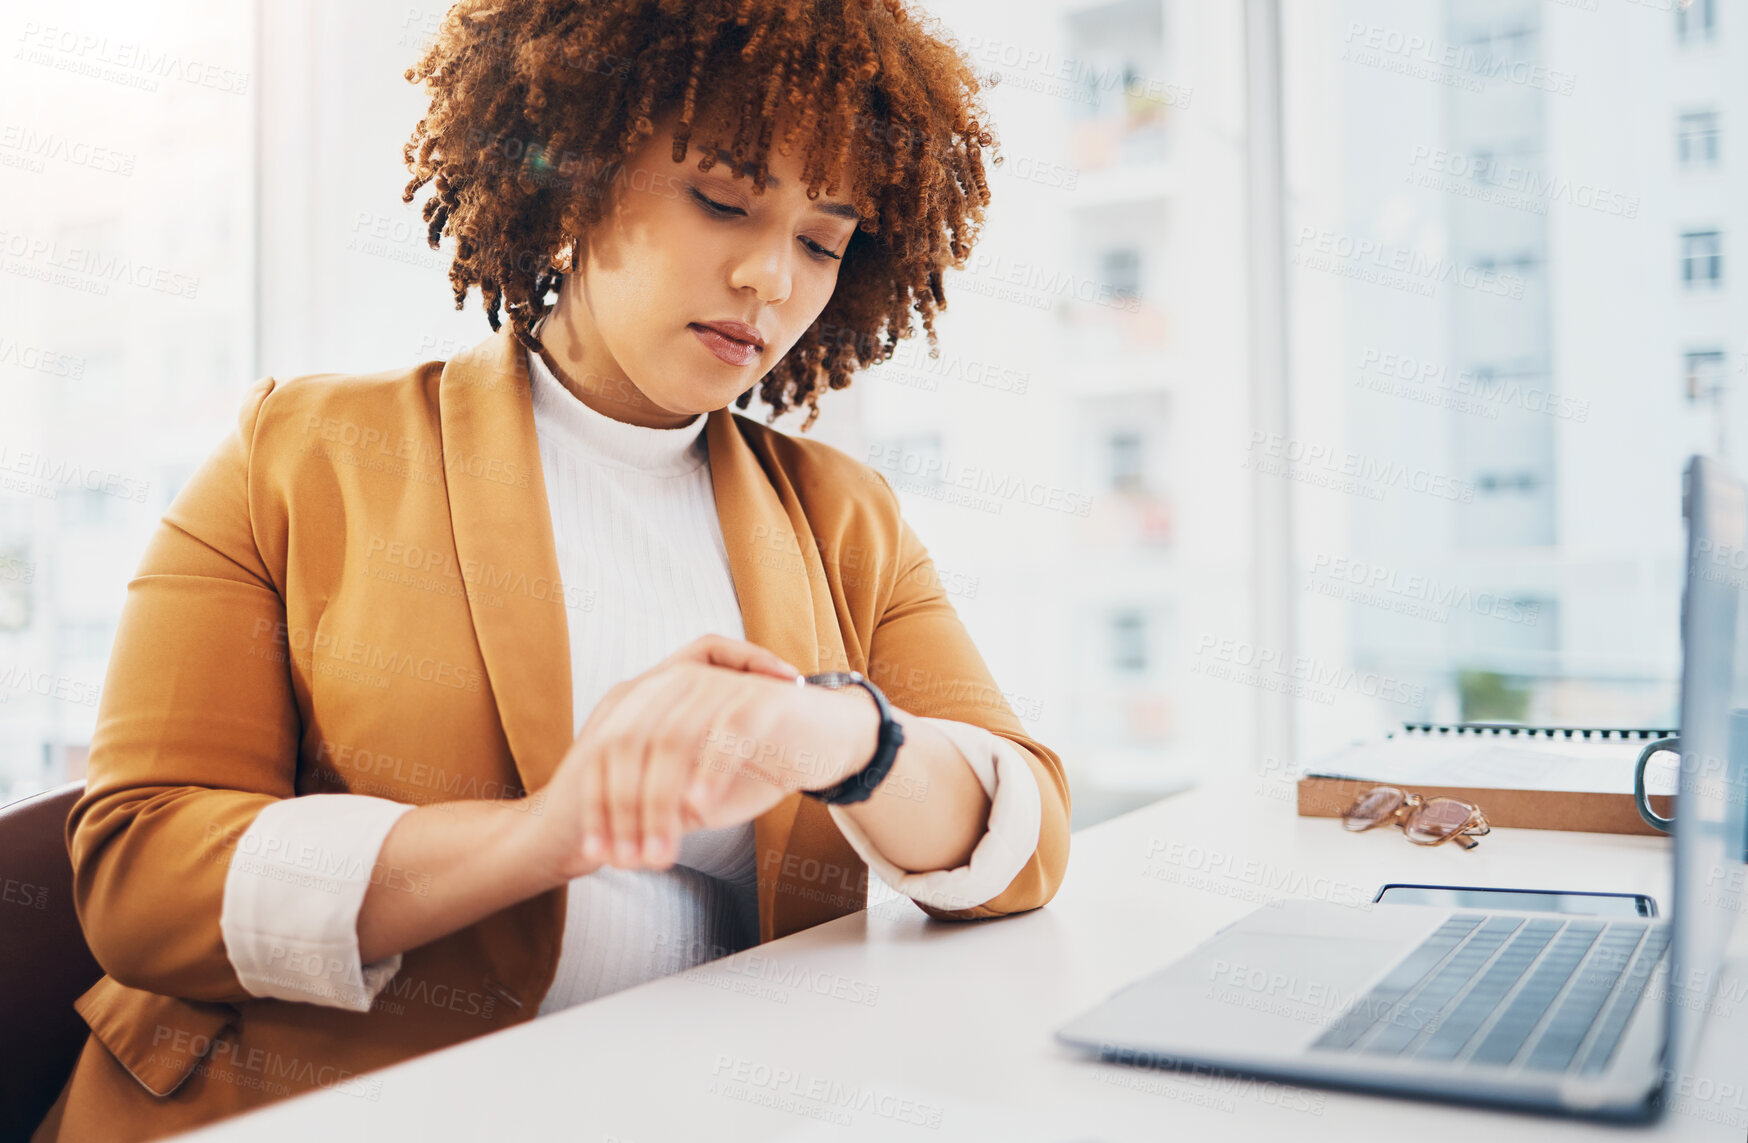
x=197, y=733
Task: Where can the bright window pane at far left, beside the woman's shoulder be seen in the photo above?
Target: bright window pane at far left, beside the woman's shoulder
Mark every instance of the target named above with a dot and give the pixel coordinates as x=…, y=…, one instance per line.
x=135, y=354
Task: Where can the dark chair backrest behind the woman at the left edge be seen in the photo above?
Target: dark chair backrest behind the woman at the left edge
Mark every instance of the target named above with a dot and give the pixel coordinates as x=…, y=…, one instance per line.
x=45, y=962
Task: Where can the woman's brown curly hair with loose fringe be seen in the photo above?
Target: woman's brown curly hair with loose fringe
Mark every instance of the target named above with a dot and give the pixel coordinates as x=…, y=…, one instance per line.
x=538, y=104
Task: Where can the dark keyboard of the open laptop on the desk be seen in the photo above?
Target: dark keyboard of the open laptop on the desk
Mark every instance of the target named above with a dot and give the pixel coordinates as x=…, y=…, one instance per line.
x=1544, y=995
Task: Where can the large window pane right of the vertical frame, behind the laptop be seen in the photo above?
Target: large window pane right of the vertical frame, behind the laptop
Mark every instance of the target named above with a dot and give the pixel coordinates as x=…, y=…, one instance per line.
x=1473, y=412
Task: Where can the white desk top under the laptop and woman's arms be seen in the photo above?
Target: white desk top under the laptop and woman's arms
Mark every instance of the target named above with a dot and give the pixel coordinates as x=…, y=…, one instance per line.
x=906, y=1022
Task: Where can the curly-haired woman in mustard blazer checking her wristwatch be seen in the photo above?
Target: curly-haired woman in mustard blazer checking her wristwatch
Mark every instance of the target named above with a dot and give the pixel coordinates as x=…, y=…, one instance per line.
x=454, y=696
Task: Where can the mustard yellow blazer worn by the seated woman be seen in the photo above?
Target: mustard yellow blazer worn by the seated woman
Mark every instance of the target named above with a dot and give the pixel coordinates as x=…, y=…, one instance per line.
x=394, y=529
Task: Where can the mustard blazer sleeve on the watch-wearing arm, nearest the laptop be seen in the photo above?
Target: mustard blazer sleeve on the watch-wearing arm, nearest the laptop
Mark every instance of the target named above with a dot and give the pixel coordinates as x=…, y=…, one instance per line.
x=924, y=660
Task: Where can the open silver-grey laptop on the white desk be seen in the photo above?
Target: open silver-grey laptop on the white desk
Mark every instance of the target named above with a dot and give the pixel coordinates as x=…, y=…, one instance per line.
x=1557, y=1013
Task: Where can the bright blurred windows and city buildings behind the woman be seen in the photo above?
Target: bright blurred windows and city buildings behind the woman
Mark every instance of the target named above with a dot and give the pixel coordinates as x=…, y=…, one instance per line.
x=1259, y=426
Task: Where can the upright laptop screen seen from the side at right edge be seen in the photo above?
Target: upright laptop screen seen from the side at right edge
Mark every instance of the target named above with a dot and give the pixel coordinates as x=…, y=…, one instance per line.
x=1710, y=821
